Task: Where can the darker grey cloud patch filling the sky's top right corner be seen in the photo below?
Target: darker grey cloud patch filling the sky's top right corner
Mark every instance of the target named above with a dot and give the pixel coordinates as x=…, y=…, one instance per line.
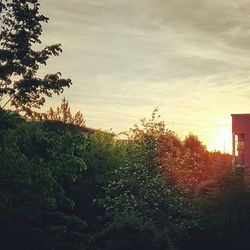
x=223, y=21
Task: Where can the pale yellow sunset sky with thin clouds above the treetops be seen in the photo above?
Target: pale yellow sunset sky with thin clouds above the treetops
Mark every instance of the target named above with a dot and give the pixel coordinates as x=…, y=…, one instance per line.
x=189, y=58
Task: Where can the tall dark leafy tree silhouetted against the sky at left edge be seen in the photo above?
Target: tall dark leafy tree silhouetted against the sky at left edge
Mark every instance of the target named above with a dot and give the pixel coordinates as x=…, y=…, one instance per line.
x=20, y=29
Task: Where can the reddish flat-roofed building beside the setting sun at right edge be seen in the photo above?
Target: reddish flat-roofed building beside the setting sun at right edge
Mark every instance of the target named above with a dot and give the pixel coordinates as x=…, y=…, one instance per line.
x=241, y=140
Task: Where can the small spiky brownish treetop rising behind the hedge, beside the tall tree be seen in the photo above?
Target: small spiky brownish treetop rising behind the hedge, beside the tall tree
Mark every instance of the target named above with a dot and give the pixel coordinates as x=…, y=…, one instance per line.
x=63, y=113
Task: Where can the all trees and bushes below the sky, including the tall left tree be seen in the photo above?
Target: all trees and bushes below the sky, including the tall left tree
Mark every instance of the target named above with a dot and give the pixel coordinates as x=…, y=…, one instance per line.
x=65, y=187
